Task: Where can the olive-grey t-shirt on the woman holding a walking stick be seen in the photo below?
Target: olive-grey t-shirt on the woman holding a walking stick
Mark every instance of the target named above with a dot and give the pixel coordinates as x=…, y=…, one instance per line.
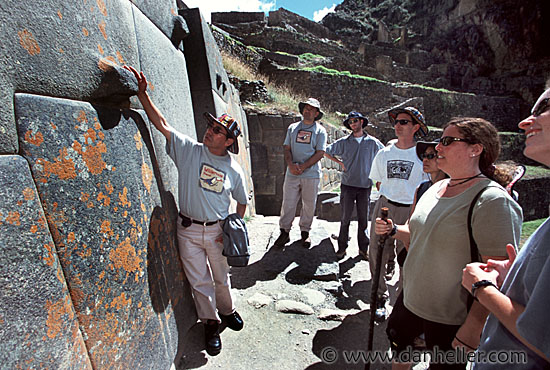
x=440, y=247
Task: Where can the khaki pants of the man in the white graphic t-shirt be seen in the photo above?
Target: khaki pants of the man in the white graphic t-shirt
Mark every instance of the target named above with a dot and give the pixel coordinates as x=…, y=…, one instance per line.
x=399, y=215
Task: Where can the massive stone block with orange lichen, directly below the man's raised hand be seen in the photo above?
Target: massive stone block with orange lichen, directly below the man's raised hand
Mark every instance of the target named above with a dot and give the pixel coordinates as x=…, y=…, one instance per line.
x=113, y=225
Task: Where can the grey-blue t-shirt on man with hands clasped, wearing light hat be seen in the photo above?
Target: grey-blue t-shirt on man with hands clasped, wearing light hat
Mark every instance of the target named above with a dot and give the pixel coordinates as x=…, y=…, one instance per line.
x=304, y=140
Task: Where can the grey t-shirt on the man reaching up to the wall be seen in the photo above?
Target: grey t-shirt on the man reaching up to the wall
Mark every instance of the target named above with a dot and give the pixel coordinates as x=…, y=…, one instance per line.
x=206, y=182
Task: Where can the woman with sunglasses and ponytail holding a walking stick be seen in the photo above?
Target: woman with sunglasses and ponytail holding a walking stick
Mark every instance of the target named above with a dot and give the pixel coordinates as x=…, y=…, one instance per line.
x=434, y=302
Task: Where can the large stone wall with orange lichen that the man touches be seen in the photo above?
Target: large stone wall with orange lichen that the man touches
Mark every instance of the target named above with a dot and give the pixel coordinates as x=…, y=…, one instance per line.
x=89, y=268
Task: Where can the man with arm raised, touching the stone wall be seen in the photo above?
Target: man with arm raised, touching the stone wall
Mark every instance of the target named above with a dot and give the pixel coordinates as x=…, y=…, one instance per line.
x=208, y=177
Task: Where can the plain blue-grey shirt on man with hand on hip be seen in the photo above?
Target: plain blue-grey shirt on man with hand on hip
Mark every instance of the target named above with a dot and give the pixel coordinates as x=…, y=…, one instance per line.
x=357, y=155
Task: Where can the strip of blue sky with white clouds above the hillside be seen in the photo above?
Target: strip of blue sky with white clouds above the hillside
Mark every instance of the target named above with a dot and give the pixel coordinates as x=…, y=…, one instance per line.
x=312, y=9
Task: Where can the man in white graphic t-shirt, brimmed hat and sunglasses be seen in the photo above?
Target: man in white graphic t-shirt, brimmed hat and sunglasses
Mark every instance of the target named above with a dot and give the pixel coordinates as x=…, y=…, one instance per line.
x=397, y=172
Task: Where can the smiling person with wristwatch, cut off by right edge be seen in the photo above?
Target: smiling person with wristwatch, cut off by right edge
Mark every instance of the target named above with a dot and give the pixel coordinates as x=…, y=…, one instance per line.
x=519, y=320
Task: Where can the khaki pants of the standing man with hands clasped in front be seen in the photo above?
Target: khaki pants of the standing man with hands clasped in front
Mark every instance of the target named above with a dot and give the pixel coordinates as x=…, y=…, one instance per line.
x=292, y=189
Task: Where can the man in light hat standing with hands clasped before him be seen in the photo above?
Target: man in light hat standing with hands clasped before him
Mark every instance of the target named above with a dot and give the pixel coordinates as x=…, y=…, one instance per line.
x=304, y=146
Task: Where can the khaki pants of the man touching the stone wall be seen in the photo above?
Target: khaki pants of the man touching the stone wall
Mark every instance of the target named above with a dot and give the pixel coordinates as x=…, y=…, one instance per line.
x=206, y=269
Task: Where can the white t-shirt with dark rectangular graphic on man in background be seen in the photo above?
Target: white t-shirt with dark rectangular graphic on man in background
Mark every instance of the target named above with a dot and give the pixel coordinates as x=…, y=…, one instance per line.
x=399, y=171
